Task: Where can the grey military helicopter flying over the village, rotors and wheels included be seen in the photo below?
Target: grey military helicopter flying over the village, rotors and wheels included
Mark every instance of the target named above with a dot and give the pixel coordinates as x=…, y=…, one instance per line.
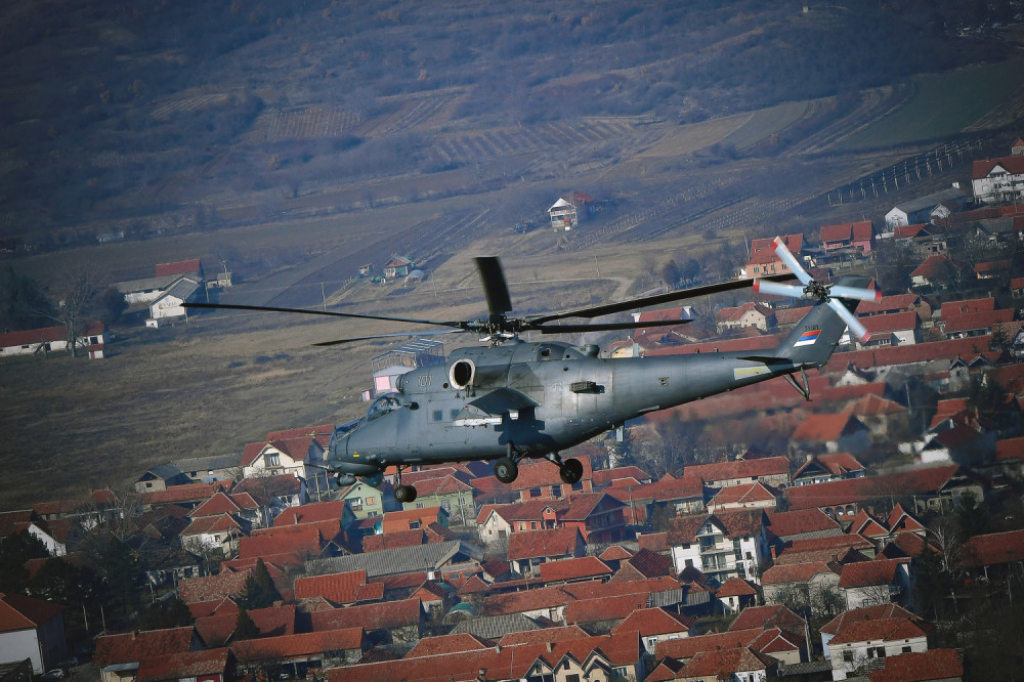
x=510, y=399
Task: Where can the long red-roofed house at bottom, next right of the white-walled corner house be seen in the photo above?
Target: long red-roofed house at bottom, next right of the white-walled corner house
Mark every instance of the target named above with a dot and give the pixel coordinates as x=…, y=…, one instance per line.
x=119, y=657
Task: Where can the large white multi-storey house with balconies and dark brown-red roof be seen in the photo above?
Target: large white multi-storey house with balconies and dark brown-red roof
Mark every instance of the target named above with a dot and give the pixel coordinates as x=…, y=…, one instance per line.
x=731, y=544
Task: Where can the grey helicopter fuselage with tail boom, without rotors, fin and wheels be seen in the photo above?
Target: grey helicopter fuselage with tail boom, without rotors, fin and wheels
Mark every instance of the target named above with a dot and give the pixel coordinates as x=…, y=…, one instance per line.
x=543, y=398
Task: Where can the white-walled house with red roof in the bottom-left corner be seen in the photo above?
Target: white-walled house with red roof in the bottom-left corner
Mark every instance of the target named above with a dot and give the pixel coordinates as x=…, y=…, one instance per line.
x=32, y=629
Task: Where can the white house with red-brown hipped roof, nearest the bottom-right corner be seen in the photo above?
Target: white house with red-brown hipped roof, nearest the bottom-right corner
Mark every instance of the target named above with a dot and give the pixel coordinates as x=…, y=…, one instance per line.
x=860, y=644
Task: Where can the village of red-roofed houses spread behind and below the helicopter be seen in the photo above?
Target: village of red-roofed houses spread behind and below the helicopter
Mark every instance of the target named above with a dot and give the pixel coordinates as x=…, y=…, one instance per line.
x=873, y=530
